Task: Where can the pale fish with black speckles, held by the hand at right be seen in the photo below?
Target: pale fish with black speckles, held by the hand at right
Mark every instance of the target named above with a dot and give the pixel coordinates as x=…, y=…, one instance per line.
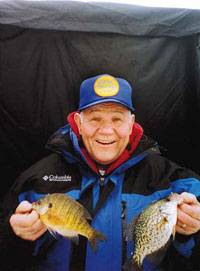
x=151, y=231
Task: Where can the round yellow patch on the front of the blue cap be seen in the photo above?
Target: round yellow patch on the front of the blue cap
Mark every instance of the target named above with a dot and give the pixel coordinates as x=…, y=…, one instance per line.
x=106, y=86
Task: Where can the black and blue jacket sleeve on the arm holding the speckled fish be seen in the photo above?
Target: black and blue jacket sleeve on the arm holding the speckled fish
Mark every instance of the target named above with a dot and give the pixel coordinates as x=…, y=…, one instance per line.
x=184, y=250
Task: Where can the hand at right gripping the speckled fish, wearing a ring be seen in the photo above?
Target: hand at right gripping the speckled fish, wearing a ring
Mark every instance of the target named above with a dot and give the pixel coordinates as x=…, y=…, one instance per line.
x=188, y=221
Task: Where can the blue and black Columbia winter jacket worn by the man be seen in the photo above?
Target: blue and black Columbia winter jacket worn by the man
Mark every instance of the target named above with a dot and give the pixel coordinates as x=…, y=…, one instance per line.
x=137, y=180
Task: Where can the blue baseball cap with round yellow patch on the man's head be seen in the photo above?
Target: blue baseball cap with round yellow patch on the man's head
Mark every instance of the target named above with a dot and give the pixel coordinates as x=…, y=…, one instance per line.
x=105, y=88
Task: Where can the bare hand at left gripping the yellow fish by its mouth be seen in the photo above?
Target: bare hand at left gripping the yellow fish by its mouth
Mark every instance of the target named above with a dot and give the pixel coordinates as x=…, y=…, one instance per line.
x=26, y=223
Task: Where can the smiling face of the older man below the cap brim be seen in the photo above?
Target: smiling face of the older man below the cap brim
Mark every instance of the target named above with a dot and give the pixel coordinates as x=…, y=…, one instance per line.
x=105, y=130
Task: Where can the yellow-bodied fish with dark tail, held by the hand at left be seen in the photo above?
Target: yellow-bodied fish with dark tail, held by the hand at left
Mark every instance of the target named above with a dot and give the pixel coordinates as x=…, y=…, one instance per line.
x=66, y=216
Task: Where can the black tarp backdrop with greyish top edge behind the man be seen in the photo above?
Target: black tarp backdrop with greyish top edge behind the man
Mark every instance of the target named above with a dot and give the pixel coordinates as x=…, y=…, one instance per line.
x=47, y=48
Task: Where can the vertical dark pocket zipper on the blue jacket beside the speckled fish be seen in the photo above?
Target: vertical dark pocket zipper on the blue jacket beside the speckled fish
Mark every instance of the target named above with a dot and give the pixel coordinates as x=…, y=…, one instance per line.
x=124, y=242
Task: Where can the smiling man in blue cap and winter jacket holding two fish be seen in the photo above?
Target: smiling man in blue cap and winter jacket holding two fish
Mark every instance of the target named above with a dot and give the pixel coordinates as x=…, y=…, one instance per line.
x=103, y=160
